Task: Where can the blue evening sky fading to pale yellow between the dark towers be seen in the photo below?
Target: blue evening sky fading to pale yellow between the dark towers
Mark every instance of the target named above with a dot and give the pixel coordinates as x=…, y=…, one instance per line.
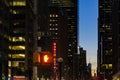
x=88, y=15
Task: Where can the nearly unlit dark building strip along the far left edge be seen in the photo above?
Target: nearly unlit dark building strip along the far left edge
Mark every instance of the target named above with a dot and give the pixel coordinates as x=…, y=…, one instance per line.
x=4, y=37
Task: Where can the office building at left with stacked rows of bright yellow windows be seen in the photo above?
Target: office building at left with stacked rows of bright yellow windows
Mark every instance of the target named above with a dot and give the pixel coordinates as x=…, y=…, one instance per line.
x=20, y=37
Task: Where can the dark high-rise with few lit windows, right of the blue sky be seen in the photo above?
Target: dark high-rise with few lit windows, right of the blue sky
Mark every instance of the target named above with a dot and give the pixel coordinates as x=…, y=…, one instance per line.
x=108, y=38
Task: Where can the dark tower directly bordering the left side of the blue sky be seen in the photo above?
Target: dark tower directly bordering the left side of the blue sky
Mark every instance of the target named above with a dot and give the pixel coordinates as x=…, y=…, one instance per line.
x=66, y=31
